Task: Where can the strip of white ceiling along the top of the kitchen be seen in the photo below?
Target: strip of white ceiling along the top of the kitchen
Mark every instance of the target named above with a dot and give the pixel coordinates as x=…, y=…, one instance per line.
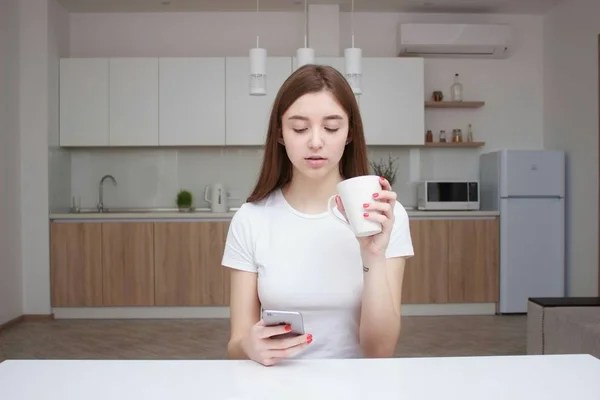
x=441, y=6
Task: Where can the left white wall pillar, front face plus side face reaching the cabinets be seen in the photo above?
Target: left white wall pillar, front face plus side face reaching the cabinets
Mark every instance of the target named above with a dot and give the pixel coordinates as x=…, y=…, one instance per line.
x=44, y=34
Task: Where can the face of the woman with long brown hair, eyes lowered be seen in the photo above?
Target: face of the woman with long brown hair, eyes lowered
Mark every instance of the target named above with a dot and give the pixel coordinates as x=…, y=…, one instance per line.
x=315, y=130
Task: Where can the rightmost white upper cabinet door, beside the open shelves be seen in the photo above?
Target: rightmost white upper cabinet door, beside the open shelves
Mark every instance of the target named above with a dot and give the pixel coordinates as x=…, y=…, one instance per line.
x=392, y=101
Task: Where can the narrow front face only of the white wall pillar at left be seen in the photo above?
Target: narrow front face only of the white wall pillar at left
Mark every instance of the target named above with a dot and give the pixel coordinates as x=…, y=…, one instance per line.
x=34, y=156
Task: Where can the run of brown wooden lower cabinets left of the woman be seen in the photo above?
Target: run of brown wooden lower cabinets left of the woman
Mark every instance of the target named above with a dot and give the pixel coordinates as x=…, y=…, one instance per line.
x=129, y=264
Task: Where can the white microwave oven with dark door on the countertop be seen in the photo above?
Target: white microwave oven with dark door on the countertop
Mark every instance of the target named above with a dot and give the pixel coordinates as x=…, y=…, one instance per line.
x=448, y=195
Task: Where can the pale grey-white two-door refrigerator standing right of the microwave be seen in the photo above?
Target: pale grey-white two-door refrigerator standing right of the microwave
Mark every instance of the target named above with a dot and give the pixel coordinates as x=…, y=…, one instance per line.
x=528, y=188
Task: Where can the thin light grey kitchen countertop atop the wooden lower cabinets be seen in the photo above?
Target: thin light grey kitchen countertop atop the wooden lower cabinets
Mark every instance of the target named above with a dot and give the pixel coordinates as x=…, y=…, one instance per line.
x=206, y=214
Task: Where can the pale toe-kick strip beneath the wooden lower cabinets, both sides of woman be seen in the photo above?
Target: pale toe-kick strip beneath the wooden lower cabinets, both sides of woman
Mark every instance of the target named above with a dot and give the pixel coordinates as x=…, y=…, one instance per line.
x=223, y=312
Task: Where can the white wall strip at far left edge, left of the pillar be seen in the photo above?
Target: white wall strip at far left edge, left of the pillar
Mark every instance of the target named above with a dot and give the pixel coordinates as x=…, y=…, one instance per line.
x=11, y=287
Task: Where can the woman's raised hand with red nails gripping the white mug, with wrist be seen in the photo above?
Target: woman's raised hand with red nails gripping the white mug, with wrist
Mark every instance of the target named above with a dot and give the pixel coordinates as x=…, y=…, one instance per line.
x=375, y=246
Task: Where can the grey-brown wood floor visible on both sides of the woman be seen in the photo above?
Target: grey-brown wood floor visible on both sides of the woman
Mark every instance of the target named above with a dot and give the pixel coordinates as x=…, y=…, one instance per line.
x=207, y=338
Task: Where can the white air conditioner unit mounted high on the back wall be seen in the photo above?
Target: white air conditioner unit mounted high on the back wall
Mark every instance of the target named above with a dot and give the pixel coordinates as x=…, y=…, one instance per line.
x=454, y=40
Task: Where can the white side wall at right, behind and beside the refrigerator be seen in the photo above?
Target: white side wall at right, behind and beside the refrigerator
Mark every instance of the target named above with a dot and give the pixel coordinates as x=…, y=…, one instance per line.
x=571, y=32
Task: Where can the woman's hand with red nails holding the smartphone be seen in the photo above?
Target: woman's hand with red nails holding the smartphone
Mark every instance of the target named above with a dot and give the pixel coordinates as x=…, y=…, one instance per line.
x=263, y=345
